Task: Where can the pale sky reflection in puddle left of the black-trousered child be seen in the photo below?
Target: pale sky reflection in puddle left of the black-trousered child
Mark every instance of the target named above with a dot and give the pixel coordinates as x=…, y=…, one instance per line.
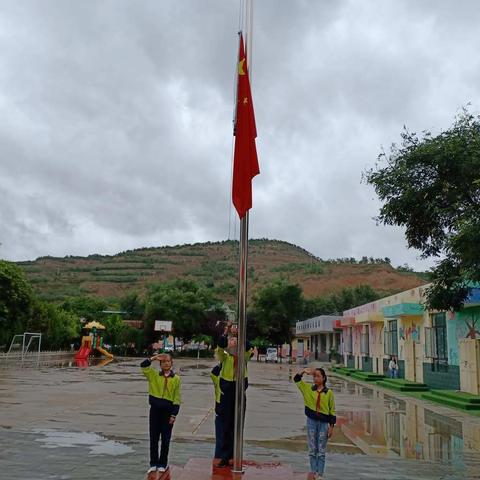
x=97, y=444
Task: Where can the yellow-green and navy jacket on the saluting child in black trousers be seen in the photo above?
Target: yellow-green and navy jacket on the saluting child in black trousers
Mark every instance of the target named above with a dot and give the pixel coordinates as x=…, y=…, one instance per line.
x=164, y=391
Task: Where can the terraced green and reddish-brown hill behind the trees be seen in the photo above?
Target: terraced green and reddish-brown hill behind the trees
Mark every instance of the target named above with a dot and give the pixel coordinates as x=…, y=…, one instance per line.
x=213, y=264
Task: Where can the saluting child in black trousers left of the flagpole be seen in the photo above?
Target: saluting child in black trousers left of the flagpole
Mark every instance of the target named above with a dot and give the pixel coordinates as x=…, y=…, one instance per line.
x=164, y=400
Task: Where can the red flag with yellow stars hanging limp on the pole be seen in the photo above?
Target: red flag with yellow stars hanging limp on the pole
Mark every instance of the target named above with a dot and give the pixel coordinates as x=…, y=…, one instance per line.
x=245, y=161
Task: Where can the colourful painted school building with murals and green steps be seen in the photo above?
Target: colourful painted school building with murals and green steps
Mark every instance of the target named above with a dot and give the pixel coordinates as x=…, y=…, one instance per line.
x=440, y=349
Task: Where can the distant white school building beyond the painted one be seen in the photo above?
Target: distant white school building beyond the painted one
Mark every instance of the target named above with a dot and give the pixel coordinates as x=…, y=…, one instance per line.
x=319, y=336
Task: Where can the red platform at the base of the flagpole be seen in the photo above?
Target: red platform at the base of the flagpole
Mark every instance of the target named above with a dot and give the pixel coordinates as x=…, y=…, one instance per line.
x=203, y=469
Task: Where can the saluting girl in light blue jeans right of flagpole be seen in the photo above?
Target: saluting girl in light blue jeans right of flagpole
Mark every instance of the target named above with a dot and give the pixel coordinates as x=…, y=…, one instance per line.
x=320, y=411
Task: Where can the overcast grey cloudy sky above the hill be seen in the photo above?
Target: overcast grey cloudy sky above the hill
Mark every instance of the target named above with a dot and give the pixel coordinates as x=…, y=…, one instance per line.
x=116, y=118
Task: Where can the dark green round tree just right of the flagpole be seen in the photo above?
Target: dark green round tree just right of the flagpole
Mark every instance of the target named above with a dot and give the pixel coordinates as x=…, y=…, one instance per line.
x=276, y=309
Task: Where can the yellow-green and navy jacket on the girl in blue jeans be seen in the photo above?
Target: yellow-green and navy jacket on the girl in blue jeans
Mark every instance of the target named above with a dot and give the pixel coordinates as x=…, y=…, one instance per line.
x=319, y=404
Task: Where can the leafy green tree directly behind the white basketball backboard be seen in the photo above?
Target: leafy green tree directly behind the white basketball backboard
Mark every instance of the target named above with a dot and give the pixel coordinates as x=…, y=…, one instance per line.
x=183, y=302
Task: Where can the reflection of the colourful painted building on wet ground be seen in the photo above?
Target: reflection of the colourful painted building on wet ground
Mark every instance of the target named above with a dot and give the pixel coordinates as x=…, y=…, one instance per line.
x=389, y=427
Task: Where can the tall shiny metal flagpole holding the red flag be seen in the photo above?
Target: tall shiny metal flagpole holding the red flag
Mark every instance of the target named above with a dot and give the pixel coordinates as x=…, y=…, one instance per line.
x=242, y=301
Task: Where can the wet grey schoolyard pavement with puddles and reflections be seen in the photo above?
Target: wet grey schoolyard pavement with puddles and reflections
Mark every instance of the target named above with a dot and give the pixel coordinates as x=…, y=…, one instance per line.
x=59, y=421
